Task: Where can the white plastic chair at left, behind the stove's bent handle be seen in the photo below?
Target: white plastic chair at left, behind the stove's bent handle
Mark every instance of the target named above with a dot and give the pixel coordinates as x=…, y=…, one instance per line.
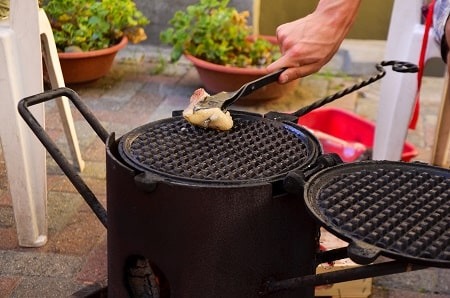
x=21, y=76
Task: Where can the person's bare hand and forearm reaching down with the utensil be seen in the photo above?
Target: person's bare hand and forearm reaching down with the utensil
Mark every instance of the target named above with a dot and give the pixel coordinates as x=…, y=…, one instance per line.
x=309, y=43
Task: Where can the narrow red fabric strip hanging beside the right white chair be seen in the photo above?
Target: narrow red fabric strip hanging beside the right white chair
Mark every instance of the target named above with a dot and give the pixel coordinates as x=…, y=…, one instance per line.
x=423, y=50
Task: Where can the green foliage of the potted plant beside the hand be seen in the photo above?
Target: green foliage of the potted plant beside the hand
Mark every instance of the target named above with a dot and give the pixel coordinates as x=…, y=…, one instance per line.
x=212, y=30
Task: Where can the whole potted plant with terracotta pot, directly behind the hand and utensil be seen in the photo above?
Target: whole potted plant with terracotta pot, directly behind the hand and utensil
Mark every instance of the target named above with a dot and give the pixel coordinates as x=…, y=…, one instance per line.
x=217, y=39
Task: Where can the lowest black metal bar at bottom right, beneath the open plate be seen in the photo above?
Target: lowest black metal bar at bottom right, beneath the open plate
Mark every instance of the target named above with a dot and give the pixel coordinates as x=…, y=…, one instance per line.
x=386, y=268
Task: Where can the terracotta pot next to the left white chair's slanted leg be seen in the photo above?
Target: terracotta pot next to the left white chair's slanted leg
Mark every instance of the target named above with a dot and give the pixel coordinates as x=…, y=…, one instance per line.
x=81, y=67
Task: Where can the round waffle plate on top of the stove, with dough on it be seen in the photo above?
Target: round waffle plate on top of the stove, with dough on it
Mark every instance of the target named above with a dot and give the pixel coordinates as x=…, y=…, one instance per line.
x=254, y=150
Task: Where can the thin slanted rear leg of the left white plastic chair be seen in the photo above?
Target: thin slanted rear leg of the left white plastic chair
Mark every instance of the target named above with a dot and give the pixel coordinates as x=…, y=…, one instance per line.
x=57, y=80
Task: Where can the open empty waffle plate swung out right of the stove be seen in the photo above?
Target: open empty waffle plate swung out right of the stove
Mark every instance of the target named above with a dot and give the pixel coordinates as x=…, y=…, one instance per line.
x=400, y=210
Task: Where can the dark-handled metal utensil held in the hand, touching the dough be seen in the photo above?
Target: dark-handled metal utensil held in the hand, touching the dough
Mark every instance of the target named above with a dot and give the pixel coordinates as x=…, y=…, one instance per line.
x=225, y=99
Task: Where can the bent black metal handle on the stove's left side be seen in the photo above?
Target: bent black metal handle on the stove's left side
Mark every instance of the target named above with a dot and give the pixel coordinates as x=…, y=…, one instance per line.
x=53, y=149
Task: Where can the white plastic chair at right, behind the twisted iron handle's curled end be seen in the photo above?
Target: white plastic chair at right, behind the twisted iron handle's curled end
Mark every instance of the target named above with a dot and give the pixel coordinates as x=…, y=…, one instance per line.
x=398, y=90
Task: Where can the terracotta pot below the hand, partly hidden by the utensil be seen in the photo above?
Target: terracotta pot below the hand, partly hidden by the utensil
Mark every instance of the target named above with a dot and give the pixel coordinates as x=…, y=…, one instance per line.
x=217, y=78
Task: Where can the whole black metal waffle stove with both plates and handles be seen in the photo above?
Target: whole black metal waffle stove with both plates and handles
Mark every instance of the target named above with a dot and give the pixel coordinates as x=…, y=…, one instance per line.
x=201, y=213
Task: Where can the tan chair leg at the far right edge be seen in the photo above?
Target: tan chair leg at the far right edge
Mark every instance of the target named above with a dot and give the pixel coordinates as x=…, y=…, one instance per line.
x=442, y=136
